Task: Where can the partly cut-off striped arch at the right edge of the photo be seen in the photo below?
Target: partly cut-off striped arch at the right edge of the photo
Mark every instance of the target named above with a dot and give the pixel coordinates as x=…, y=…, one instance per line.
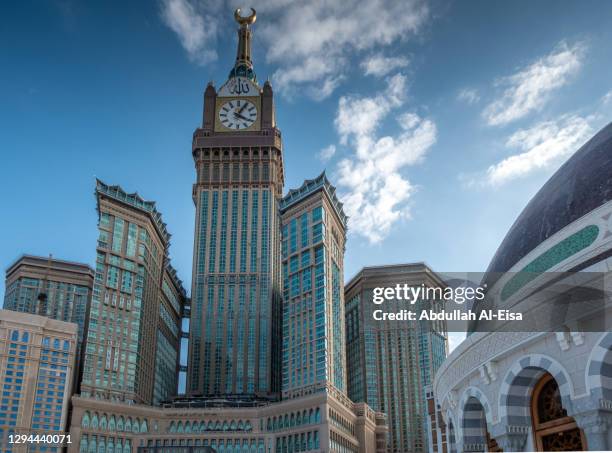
x=599, y=369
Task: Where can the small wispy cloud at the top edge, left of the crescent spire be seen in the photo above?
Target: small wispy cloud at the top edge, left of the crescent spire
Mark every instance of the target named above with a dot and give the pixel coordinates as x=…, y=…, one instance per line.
x=196, y=31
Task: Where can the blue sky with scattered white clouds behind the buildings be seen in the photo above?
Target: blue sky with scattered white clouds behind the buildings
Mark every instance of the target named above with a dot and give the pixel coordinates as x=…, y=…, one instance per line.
x=437, y=120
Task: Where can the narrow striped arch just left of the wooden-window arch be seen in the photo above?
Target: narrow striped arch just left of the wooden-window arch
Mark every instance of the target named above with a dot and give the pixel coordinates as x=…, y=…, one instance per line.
x=475, y=416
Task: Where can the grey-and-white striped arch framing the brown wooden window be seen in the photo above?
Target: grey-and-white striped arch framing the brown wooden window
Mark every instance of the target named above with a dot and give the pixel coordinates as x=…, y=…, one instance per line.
x=517, y=386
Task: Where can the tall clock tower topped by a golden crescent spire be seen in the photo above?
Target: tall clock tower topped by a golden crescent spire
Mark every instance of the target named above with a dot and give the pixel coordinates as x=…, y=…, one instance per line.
x=234, y=346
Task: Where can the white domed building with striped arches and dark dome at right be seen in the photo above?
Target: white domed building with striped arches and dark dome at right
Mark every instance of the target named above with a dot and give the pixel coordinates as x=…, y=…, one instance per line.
x=543, y=390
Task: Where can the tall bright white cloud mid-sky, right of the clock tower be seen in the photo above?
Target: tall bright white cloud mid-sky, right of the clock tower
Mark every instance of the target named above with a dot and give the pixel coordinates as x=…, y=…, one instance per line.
x=372, y=187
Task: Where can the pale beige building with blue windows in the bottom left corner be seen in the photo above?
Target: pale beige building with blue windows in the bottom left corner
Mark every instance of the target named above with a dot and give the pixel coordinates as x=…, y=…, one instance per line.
x=37, y=366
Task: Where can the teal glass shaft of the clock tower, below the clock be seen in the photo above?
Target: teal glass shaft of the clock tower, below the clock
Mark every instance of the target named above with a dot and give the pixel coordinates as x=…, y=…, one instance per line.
x=233, y=292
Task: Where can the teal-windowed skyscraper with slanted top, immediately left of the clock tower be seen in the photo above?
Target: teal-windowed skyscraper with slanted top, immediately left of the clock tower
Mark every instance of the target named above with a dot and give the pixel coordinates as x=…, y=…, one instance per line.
x=136, y=305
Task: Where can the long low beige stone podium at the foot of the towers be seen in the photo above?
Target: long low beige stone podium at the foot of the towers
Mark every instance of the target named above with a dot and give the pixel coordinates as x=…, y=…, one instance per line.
x=362, y=427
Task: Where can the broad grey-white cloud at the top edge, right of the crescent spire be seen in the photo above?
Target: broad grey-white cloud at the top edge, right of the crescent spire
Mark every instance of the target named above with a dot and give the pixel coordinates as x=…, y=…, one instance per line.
x=312, y=41
